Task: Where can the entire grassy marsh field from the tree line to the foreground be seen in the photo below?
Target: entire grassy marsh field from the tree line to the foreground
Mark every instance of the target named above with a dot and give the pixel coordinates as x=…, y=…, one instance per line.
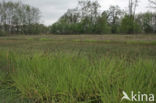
x=76, y=68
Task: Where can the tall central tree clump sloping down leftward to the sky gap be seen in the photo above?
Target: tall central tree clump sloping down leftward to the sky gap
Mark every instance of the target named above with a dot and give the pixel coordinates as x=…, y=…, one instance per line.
x=82, y=19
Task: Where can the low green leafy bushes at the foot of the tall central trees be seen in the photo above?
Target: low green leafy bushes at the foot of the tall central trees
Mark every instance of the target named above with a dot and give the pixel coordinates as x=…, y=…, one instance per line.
x=86, y=26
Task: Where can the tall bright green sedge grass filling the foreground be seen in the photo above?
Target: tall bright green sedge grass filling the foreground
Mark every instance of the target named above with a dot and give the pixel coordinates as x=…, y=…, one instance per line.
x=70, y=78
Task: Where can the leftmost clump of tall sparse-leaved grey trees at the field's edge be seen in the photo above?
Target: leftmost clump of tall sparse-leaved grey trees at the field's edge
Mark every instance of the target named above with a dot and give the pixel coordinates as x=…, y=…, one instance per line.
x=18, y=18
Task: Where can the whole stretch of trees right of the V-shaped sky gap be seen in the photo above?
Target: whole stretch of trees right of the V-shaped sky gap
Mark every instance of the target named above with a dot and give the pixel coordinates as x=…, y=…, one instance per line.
x=86, y=19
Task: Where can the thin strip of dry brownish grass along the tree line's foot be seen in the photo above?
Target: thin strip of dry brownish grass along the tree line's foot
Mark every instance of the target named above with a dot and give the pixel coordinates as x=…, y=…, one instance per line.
x=112, y=37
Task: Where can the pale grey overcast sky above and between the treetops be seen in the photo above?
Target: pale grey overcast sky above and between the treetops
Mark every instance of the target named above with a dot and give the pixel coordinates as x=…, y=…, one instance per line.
x=52, y=9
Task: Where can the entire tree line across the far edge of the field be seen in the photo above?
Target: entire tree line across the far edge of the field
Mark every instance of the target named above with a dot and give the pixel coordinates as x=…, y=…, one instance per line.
x=85, y=18
